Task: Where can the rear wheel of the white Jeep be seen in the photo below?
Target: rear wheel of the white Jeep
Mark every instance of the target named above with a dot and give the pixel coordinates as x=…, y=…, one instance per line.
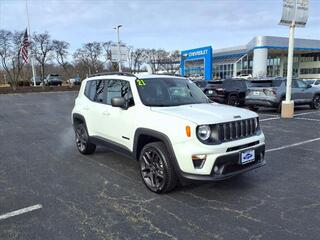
x=82, y=140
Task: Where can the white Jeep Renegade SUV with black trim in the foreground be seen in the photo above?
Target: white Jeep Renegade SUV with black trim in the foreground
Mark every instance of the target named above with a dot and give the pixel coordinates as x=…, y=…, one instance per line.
x=169, y=125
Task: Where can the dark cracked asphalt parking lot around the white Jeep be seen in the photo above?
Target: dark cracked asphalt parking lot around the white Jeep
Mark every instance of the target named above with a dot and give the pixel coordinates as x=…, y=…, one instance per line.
x=102, y=196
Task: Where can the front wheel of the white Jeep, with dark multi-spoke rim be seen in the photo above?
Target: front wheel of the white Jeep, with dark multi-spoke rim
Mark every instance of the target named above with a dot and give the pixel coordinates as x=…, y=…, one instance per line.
x=156, y=168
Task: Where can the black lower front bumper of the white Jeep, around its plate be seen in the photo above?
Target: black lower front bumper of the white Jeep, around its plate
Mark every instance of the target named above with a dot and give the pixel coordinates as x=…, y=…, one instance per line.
x=228, y=166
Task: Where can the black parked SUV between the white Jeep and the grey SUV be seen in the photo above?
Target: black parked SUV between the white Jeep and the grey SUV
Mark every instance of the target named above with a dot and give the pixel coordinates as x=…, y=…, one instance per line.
x=228, y=91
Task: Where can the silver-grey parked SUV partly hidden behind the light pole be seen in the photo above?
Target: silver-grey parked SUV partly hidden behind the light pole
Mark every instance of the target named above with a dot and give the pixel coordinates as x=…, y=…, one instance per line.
x=271, y=93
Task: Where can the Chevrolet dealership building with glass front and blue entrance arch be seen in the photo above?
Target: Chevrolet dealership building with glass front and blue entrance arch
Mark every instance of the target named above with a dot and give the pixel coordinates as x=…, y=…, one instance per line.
x=263, y=56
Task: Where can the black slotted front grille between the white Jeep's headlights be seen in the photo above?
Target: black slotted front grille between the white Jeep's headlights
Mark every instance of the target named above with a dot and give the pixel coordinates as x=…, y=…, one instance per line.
x=238, y=129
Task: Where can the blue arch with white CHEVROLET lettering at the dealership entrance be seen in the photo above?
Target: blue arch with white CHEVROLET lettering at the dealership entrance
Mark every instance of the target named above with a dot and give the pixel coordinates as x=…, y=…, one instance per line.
x=196, y=62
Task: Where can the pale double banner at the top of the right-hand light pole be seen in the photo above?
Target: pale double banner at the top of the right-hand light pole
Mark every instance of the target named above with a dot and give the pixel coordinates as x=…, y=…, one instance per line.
x=295, y=12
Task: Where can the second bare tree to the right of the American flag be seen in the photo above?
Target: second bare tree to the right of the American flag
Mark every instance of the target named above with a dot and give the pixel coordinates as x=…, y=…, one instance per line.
x=60, y=49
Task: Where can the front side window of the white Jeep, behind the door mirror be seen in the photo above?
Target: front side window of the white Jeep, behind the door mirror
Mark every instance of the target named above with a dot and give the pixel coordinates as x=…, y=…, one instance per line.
x=119, y=88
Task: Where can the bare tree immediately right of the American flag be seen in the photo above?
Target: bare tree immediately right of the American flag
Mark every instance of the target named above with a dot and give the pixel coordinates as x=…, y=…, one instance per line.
x=42, y=48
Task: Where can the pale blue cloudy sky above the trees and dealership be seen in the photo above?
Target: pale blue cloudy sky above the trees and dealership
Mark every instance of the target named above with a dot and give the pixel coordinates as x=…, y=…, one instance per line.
x=171, y=25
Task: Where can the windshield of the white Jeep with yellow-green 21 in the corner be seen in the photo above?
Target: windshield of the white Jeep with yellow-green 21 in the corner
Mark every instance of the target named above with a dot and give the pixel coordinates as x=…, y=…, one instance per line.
x=163, y=92
